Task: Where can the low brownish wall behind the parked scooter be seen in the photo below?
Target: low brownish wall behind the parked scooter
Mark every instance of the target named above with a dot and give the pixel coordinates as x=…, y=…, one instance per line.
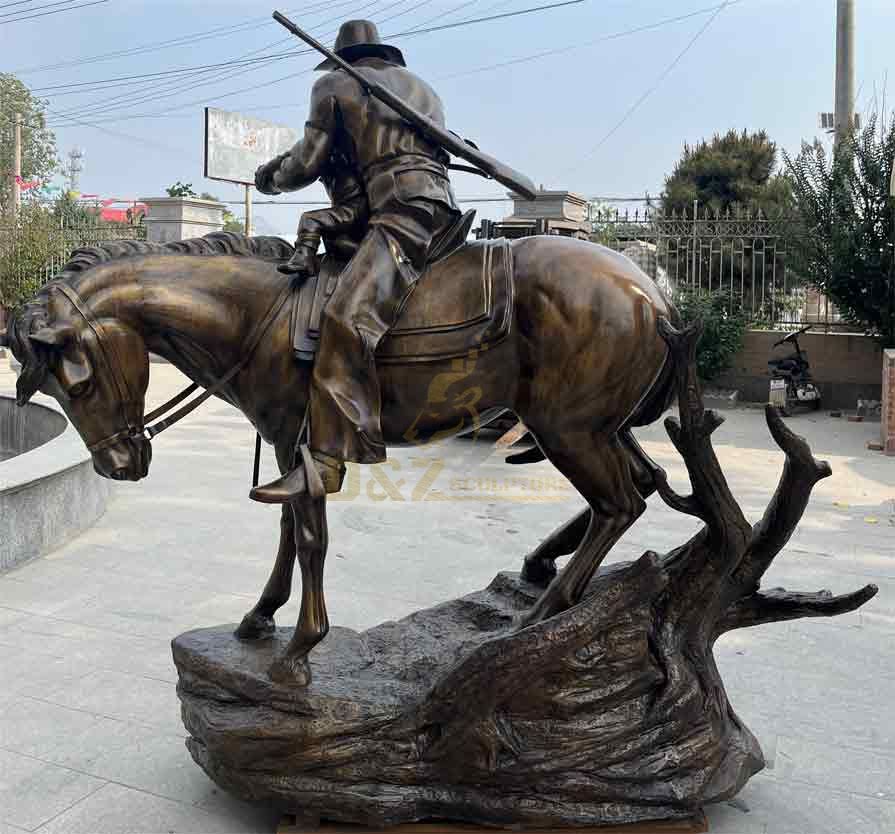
x=845, y=366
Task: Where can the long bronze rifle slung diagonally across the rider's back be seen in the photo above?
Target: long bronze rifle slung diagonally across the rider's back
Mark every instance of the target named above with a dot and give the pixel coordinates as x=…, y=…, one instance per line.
x=487, y=165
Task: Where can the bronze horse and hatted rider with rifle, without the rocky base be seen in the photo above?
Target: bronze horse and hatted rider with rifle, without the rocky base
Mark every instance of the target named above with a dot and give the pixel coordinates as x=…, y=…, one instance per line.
x=520, y=323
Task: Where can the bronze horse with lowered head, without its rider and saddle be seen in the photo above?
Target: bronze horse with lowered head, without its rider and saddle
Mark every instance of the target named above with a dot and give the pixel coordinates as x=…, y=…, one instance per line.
x=582, y=362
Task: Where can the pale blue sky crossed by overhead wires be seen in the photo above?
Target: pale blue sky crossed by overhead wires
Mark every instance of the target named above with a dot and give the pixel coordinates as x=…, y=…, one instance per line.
x=605, y=112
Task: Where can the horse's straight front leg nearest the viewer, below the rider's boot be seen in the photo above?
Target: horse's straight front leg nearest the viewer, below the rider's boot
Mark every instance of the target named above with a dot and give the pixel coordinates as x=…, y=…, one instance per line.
x=313, y=624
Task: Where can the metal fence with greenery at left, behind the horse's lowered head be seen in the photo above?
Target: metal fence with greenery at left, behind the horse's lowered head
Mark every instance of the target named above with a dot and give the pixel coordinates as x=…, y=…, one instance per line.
x=34, y=250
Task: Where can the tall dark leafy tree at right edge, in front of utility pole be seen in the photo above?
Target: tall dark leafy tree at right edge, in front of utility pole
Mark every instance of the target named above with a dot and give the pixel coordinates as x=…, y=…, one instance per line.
x=845, y=249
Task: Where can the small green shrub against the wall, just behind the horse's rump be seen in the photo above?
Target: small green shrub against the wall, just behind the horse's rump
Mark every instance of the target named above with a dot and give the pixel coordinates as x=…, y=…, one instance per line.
x=724, y=325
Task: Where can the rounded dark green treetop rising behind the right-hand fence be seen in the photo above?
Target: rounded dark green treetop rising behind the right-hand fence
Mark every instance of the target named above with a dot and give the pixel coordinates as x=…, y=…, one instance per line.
x=731, y=171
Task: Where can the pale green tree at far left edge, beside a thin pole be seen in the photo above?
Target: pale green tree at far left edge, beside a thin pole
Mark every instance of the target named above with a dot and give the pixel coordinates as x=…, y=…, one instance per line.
x=39, y=160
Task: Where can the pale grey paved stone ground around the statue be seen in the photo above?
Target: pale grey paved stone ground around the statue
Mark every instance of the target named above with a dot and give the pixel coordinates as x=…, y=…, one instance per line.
x=90, y=732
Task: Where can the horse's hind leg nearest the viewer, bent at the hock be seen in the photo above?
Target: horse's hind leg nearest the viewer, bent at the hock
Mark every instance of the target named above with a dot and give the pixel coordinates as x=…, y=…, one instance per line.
x=602, y=472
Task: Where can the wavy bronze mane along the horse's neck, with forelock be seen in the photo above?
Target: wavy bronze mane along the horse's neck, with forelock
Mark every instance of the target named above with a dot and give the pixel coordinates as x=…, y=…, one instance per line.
x=32, y=316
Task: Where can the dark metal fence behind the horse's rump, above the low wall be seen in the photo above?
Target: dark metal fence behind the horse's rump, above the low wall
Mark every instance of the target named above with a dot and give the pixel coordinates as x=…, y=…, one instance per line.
x=745, y=255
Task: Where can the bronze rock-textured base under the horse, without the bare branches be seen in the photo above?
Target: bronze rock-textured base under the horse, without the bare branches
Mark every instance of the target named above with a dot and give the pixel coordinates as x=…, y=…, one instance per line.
x=452, y=714
